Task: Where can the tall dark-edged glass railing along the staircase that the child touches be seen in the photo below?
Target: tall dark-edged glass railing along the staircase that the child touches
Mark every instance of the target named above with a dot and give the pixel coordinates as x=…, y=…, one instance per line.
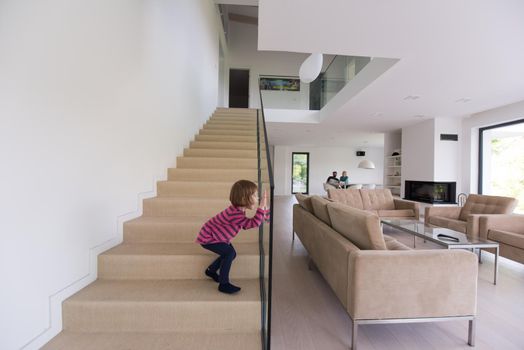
x=265, y=183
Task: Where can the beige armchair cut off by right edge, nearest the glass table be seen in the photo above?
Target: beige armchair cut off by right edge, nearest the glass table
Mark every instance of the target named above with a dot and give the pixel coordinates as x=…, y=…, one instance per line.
x=508, y=231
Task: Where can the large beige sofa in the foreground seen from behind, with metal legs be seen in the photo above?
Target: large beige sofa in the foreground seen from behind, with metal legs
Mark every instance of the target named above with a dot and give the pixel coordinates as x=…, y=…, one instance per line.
x=378, y=279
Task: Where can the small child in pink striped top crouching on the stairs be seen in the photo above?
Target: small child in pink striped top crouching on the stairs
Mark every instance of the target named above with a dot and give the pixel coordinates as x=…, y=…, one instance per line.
x=217, y=232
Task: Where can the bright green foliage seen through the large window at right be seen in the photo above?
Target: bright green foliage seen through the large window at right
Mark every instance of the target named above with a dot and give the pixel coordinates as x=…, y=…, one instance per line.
x=507, y=168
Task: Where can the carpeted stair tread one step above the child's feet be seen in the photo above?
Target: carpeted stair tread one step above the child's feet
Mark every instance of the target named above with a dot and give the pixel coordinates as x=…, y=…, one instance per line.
x=180, y=248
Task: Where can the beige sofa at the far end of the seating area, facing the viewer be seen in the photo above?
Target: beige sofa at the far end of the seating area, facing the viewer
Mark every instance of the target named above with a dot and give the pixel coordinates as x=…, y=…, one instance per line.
x=376, y=201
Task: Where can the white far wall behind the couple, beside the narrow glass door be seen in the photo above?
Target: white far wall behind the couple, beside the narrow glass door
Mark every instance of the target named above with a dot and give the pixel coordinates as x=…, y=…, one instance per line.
x=324, y=160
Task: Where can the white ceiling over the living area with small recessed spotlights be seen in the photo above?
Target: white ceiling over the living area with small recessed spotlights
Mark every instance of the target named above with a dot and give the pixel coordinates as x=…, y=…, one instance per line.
x=449, y=50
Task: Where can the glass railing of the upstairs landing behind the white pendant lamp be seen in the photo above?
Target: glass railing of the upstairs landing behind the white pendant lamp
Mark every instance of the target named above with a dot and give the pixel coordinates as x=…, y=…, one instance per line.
x=287, y=92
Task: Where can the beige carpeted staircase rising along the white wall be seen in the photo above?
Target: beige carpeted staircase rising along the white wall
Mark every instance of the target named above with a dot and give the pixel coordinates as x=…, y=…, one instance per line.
x=151, y=292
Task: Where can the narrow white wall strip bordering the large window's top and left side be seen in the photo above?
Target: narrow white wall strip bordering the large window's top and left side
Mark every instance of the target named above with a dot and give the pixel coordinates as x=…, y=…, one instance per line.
x=470, y=135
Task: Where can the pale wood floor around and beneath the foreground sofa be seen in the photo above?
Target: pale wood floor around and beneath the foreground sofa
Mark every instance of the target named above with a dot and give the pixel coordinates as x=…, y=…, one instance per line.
x=307, y=314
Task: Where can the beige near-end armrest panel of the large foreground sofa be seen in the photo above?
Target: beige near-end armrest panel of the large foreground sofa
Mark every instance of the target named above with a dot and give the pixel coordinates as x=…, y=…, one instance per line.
x=412, y=284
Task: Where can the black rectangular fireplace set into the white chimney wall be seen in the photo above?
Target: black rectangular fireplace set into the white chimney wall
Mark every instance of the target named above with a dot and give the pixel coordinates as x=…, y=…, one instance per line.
x=431, y=192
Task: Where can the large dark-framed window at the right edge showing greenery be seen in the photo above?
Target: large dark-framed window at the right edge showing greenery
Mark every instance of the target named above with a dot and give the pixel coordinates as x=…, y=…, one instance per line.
x=501, y=161
